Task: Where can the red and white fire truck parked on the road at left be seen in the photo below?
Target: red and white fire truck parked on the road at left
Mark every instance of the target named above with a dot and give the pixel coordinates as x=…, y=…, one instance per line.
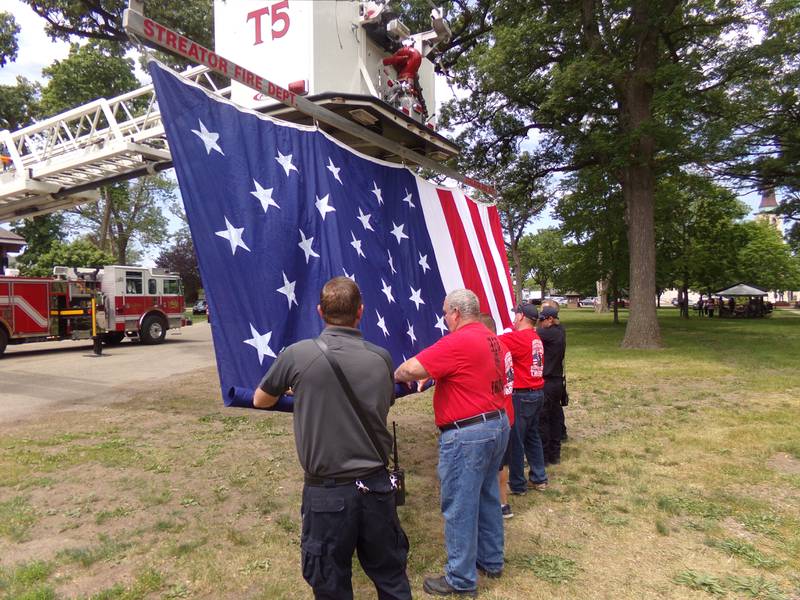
x=80, y=303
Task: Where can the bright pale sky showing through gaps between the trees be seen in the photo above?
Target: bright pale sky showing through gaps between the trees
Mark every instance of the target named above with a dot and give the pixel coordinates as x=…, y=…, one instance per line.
x=36, y=51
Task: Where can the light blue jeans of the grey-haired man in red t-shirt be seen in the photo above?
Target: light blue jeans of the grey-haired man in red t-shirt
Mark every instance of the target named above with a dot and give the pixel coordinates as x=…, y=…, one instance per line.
x=473, y=524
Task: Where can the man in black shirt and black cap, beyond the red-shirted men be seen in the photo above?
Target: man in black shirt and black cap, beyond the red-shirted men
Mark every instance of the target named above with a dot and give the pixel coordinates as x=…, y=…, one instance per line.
x=554, y=339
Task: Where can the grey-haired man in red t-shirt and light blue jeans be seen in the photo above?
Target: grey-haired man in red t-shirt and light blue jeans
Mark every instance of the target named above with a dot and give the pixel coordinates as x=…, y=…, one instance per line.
x=468, y=406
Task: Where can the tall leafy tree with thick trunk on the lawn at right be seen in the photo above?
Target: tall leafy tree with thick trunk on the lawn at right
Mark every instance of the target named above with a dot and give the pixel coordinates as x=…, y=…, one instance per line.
x=635, y=88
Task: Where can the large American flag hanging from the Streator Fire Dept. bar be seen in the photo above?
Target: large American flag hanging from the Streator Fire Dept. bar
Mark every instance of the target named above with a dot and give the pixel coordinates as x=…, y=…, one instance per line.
x=275, y=210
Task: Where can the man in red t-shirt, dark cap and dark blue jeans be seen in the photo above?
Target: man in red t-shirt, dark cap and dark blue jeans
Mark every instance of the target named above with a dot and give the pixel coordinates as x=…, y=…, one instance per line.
x=527, y=353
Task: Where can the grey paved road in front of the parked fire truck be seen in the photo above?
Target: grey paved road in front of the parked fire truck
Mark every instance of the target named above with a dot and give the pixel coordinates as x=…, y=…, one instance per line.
x=43, y=377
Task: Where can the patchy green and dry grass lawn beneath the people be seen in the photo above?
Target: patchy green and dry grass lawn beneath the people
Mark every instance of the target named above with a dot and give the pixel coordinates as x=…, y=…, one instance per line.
x=680, y=479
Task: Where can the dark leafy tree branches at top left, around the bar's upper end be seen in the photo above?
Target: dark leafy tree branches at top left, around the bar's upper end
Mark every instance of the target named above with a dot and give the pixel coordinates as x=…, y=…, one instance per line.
x=101, y=20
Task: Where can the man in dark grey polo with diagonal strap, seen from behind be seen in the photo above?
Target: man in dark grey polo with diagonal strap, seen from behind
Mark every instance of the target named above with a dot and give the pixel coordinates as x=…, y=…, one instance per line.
x=348, y=498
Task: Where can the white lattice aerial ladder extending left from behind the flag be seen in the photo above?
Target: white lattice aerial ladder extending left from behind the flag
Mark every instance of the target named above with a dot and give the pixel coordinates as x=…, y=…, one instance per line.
x=60, y=162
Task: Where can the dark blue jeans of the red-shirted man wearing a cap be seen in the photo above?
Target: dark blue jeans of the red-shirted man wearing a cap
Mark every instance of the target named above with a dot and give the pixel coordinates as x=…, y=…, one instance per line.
x=525, y=441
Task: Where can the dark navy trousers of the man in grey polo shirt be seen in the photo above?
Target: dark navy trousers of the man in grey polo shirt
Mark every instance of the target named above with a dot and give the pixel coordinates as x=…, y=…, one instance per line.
x=341, y=519
